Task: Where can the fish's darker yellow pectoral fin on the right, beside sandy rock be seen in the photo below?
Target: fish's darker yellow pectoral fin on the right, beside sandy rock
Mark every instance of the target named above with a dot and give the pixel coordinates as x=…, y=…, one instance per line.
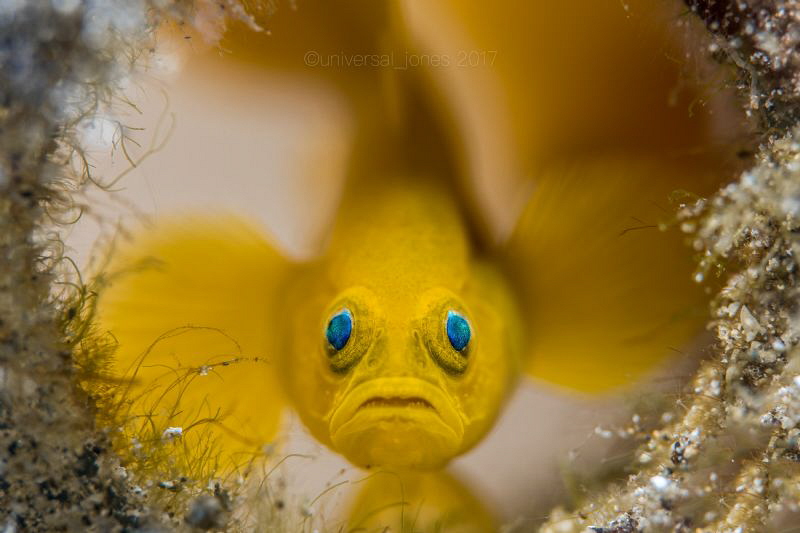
x=604, y=271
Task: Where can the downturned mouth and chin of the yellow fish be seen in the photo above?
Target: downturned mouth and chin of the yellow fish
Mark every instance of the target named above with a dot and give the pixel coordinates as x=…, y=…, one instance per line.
x=397, y=422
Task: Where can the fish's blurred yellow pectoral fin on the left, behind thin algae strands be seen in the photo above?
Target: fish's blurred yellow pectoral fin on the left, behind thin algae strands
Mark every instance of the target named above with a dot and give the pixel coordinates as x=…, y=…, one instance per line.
x=192, y=306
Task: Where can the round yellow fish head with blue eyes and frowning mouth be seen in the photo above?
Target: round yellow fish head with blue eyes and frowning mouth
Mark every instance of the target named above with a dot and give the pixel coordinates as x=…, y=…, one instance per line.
x=402, y=355
